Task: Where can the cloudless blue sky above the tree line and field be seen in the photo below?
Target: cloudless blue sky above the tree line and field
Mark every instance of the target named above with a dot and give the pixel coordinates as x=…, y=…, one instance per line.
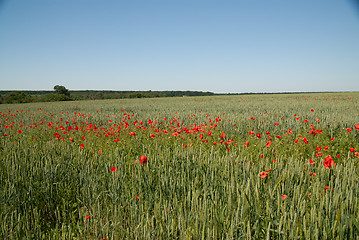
x=206, y=45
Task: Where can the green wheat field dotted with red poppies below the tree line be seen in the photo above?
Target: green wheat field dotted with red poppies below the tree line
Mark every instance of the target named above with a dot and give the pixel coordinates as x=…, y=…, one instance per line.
x=218, y=167
